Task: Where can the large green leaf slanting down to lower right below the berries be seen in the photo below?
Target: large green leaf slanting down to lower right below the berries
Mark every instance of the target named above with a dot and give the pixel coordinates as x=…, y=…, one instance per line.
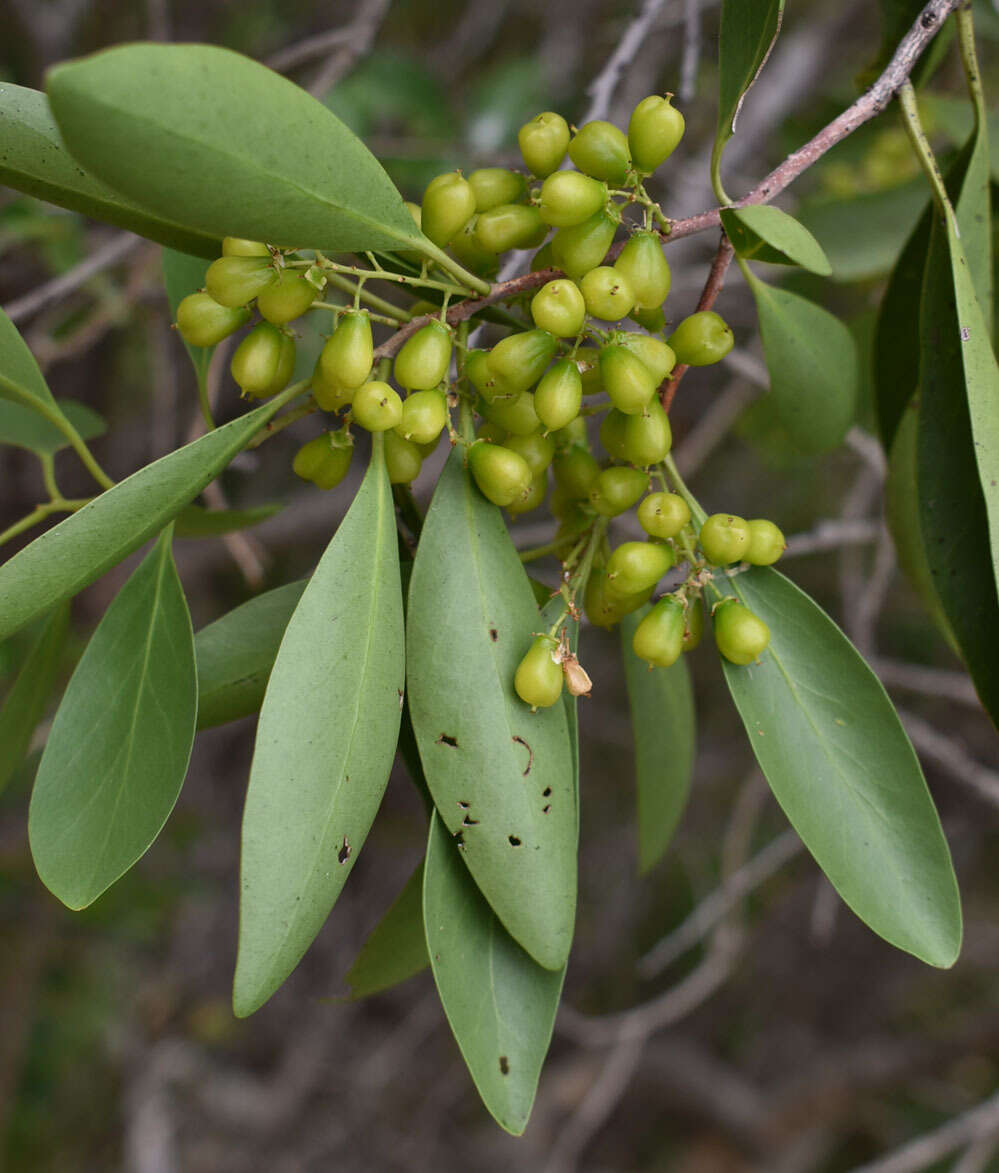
x=844, y=771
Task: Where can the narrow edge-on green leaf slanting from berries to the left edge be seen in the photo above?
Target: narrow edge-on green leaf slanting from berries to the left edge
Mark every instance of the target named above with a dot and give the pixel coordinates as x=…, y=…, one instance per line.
x=78, y=551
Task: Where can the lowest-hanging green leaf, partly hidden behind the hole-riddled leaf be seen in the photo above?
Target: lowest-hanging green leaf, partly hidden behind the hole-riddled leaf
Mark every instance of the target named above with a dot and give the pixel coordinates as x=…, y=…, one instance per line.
x=500, y=1004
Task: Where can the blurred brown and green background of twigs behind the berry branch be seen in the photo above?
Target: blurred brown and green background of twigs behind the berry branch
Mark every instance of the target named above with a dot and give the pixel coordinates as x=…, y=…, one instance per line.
x=818, y=1048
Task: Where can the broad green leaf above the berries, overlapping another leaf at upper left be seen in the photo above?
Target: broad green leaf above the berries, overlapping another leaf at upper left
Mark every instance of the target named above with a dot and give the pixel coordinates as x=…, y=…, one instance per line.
x=228, y=147
